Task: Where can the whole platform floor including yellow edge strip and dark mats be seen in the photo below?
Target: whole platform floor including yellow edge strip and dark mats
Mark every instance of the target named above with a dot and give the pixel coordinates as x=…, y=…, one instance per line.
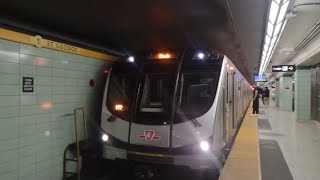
x=274, y=146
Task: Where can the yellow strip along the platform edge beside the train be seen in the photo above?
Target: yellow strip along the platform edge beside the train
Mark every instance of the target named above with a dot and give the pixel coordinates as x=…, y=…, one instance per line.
x=243, y=162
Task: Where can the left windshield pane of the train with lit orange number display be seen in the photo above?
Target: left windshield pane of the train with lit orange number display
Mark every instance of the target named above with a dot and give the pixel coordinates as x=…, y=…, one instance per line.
x=122, y=89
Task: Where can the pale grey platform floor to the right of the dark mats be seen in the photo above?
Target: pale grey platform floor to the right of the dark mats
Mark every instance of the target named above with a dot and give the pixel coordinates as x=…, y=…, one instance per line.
x=299, y=141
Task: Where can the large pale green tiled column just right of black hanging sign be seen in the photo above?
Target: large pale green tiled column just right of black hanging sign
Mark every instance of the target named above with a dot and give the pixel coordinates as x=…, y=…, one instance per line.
x=303, y=94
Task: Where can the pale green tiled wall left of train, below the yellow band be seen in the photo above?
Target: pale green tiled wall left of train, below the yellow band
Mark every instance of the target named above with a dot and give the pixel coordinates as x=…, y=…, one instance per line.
x=35, y=127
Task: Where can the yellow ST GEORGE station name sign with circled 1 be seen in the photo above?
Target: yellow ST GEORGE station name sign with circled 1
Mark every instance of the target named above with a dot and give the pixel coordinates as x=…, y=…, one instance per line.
x=39, y=42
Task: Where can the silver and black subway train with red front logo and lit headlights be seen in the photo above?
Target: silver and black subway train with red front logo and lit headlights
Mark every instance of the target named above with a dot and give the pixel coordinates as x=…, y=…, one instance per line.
x=178, y=108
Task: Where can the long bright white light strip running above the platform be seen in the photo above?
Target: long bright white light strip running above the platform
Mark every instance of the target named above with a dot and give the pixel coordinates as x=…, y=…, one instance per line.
x=275, y=26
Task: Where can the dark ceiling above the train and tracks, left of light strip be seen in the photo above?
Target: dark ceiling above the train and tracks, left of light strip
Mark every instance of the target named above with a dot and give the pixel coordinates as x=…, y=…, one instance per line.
x=126, y=25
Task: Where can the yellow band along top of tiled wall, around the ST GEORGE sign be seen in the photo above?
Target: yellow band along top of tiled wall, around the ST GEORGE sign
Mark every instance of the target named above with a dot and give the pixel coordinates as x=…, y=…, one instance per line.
x=27, y=39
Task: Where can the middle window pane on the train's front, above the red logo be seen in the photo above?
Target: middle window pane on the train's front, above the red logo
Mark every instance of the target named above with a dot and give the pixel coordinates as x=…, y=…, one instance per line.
x=155, y=97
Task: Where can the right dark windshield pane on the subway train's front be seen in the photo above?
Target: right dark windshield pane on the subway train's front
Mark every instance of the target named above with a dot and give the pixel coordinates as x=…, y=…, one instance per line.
x=197, y=94
